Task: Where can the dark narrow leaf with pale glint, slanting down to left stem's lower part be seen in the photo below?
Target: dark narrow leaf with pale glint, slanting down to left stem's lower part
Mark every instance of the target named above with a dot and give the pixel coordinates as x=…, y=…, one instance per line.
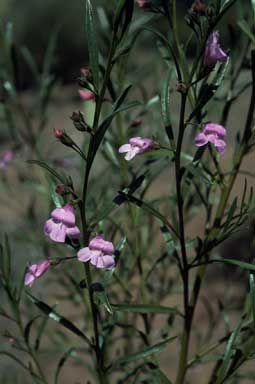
x=52, y=314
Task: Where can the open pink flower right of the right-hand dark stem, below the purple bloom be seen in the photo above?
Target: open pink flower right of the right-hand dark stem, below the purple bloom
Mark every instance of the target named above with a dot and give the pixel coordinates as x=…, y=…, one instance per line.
x=212, y=133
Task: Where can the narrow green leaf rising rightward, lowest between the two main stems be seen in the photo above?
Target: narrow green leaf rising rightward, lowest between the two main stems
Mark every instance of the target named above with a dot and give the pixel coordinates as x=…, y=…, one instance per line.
x=143, y=354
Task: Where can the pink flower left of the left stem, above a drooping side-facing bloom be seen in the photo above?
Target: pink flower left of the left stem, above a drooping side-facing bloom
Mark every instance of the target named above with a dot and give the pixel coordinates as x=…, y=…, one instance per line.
x=62, y=224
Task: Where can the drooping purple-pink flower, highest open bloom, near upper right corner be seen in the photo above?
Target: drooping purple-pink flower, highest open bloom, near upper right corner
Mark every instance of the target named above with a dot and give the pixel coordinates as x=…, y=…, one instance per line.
x=213, y=51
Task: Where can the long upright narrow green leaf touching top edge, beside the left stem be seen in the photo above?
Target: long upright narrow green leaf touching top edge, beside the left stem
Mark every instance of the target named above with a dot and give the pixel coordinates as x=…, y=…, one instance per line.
x=91, y=34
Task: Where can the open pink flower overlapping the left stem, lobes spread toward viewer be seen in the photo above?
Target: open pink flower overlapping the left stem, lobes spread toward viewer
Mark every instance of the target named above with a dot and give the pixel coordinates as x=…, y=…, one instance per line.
x=99, y=253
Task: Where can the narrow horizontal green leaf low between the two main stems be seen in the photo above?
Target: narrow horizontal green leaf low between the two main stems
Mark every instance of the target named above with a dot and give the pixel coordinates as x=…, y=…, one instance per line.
x=144, y=308
